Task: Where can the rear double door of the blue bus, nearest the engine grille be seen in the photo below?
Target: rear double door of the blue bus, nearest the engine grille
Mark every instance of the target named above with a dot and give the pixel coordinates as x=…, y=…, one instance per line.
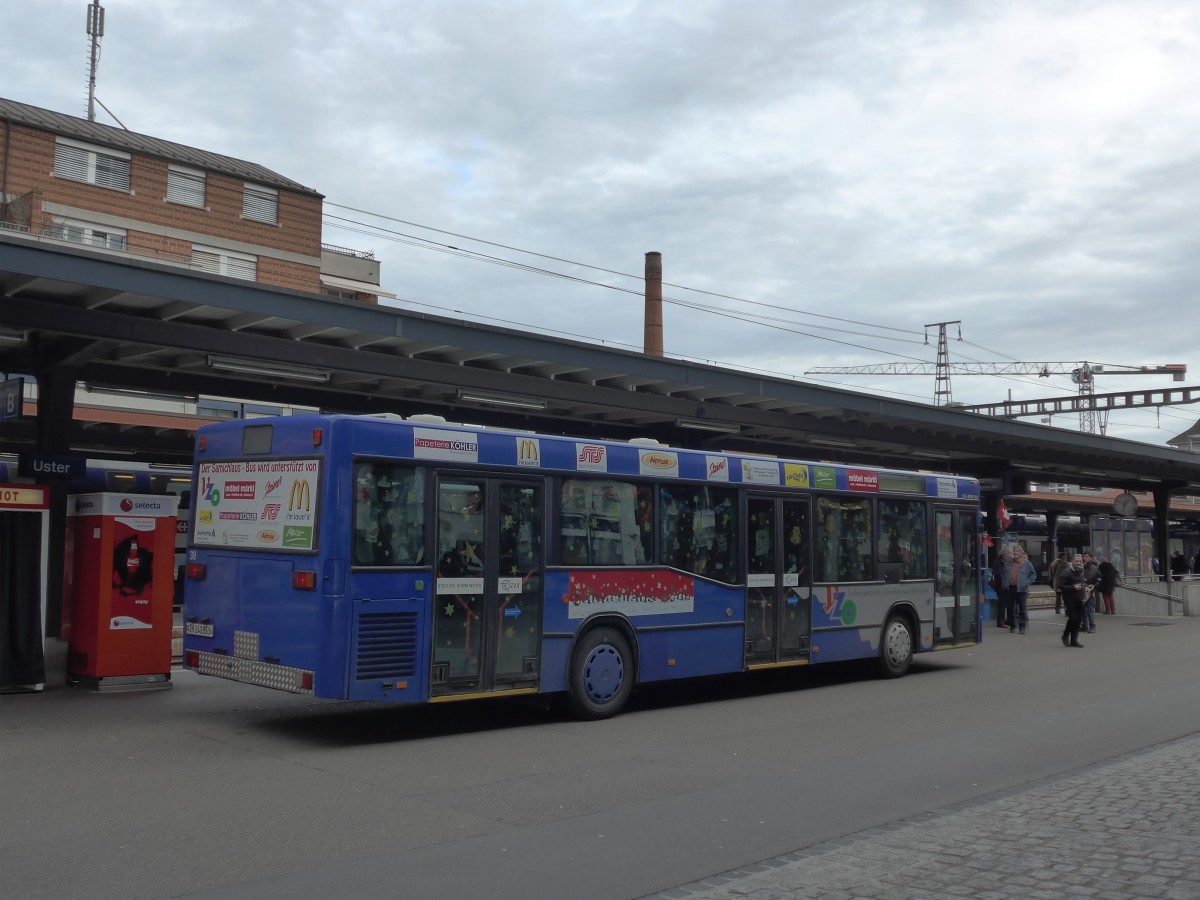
x=488, y=586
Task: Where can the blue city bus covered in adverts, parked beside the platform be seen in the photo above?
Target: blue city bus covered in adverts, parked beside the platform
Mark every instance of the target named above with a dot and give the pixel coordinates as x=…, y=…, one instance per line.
x=418, y=561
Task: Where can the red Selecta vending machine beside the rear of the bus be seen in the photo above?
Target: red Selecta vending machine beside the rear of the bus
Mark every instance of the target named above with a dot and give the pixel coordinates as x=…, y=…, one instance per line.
x=121, y=589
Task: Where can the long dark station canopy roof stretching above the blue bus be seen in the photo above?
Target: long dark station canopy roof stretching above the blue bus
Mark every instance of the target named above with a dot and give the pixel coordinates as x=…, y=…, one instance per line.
x=118, y=323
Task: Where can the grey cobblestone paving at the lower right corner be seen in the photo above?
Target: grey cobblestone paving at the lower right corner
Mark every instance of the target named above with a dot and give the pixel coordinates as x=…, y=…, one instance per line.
x=1129, y=829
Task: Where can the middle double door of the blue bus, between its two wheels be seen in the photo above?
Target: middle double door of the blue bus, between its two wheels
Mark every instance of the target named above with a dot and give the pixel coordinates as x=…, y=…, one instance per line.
x=779, y=595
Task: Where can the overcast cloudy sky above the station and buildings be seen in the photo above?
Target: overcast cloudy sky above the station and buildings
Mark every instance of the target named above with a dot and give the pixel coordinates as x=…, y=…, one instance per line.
x=855, y=170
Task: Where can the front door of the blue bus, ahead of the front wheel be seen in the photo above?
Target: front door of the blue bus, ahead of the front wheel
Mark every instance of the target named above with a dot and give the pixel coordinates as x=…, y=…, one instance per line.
x=957, y=584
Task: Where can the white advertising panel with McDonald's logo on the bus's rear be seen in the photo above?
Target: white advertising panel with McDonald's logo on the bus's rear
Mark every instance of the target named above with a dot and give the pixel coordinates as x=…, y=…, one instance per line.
x=260, y=505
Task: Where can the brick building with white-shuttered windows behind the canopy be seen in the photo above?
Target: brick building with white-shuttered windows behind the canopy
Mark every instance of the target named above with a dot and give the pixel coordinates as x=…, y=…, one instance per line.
x=71, y=179
